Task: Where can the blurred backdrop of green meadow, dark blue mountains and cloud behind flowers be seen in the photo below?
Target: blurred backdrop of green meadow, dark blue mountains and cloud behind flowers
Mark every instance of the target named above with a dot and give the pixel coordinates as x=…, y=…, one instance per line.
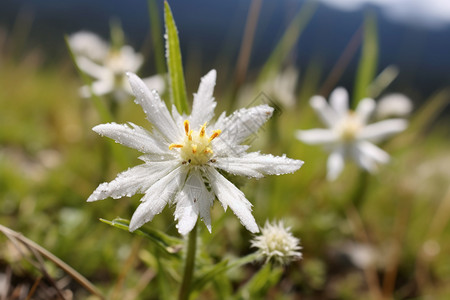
x=393, y=245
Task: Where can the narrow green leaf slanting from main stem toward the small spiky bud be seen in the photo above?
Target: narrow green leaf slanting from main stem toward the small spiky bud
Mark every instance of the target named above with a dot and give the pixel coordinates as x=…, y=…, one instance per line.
x=220, y=268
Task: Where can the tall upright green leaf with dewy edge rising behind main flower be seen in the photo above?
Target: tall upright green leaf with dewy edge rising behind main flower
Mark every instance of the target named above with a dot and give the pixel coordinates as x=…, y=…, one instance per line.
x=174, y=62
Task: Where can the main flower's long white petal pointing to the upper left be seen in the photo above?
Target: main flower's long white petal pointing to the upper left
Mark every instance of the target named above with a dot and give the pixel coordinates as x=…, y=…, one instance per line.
x=156, y=110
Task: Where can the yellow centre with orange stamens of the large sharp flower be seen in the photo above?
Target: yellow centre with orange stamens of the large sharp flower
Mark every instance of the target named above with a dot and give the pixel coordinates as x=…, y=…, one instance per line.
x=195, y=148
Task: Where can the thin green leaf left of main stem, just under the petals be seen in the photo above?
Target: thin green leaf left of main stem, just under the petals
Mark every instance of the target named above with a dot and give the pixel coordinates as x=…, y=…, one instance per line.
x=168, y=244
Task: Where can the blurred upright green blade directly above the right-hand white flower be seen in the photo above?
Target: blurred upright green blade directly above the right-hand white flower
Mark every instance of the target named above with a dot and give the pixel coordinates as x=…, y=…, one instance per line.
x=368, y=62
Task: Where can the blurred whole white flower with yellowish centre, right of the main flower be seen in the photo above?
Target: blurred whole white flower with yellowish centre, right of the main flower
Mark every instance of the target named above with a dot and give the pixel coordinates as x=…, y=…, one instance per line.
x=348, y=133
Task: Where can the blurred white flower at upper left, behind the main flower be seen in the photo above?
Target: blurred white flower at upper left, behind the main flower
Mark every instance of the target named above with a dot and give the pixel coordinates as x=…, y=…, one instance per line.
x=108, y=66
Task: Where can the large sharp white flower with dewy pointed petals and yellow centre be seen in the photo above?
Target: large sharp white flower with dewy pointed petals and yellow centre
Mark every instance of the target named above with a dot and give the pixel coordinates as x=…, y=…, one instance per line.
x=182, y=156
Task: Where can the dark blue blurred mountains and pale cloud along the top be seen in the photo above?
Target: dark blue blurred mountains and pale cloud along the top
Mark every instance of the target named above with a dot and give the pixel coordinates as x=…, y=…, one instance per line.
x=413, y=34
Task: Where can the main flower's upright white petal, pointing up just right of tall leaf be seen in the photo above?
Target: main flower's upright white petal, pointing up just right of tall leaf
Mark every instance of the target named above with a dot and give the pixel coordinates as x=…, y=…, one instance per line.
x=204, y=104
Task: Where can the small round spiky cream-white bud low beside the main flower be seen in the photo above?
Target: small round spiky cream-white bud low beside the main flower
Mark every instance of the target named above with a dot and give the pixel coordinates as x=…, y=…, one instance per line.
x=277, y=242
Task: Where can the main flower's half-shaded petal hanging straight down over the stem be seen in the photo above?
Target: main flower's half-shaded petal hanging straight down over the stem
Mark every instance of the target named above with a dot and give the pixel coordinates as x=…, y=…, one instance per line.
x=193, y=199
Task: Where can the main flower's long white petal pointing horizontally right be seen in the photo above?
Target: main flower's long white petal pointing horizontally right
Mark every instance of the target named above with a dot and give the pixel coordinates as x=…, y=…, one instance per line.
x=257, y=165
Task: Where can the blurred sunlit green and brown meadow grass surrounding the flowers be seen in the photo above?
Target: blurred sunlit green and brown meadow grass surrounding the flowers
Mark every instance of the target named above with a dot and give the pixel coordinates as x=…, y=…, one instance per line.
x=381, y=235
